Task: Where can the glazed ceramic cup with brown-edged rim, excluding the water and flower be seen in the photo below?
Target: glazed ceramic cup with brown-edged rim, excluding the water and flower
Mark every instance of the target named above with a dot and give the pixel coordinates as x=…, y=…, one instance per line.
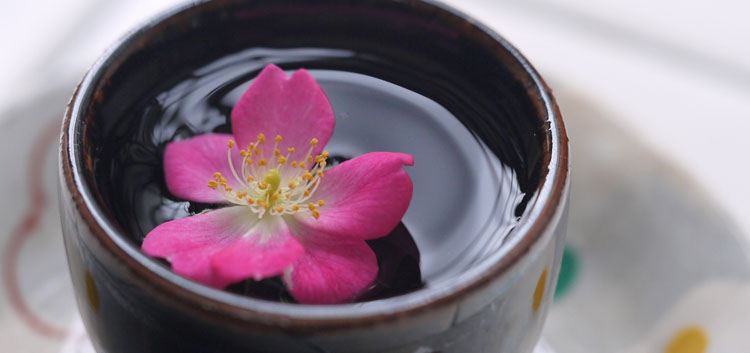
x=132, y=303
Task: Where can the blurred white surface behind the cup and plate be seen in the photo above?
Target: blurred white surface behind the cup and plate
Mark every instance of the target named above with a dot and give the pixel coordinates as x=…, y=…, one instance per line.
x=674, y=73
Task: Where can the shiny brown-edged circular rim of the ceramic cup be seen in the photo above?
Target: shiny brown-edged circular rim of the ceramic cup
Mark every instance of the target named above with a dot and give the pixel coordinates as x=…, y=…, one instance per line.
x=544, y=209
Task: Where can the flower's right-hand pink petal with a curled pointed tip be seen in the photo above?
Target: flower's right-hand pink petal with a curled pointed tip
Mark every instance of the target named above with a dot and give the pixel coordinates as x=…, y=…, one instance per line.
x=365, y=197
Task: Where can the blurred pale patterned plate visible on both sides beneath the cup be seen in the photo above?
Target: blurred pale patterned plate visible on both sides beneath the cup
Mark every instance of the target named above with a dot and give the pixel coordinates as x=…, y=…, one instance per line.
x=650, y=260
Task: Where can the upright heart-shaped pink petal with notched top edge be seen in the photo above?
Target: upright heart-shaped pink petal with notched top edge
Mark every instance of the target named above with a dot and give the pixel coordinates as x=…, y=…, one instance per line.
x=295, y=108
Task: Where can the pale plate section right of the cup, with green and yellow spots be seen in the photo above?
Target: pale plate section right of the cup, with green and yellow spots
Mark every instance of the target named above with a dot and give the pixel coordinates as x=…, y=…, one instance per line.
x=651, y=264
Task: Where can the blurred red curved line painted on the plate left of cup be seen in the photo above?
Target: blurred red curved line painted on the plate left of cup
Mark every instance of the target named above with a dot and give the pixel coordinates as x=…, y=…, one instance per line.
x=24, y=229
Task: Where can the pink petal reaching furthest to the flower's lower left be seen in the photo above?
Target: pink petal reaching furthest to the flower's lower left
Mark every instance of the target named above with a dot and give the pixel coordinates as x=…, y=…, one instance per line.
x=190, y=243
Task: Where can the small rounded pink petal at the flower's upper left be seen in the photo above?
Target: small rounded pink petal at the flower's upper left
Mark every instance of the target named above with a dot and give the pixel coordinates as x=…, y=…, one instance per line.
x=191, y=163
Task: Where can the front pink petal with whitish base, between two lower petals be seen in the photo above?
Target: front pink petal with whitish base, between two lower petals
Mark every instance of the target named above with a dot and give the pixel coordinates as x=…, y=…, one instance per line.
x=264, y=251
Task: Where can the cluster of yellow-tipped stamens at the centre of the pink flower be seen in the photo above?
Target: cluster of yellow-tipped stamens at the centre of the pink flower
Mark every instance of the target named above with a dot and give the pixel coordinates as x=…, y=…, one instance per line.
x=277, y=187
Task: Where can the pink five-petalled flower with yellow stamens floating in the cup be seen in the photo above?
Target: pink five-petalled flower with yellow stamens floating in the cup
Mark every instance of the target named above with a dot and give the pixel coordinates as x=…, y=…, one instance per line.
x=287, y=214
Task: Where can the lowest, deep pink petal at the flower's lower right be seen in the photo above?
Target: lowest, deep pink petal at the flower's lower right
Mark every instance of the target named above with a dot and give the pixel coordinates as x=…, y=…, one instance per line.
x=331, y=270
